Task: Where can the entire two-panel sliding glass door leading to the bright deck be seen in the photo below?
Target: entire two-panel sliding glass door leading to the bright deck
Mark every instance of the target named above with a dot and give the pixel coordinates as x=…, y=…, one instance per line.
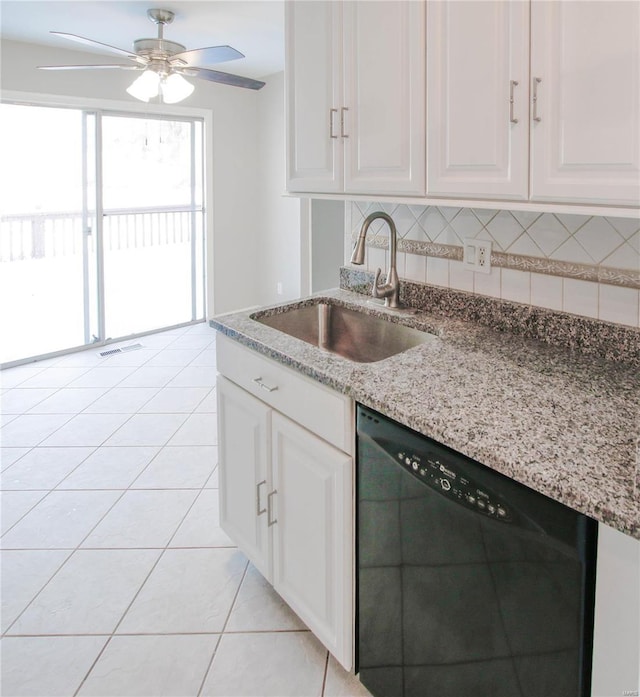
x=102, y=227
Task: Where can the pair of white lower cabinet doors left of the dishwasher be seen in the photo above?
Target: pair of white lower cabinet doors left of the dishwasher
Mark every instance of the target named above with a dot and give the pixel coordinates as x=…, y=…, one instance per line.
x=286, y=499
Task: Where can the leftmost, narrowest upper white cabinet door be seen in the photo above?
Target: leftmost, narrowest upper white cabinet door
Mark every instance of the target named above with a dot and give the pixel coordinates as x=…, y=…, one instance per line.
x=314, y=96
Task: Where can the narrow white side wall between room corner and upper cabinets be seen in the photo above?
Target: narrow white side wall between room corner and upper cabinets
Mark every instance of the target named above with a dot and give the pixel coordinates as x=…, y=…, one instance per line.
x=278, y=224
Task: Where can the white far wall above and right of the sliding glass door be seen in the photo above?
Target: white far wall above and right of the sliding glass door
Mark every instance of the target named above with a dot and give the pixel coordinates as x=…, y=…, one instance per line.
x=233, y=148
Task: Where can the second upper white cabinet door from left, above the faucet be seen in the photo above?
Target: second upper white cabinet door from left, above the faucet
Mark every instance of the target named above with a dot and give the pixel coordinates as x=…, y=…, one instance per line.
x=384, y=77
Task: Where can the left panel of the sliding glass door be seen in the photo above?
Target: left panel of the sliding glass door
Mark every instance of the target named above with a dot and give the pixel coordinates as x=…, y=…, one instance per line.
x=45, y=246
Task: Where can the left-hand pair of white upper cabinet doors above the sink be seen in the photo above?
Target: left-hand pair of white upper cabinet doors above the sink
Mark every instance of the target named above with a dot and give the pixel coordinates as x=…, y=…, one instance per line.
x=355, y=97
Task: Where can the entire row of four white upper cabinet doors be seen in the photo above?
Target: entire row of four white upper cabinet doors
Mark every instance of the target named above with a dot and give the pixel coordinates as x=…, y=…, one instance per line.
x=525, y=101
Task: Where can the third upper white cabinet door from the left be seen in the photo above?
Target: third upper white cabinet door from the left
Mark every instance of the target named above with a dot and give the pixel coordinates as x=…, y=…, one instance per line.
x=477, y=140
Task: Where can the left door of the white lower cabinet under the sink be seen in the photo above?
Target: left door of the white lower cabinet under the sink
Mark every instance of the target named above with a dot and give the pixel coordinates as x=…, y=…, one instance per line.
x=244, y=426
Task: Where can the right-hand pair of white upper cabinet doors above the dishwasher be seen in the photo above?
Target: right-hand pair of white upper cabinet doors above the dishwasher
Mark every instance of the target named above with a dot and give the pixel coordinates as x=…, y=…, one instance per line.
x=566, y=130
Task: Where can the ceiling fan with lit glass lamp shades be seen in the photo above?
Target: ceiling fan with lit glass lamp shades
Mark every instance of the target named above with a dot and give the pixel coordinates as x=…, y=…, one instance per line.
x=164, y=63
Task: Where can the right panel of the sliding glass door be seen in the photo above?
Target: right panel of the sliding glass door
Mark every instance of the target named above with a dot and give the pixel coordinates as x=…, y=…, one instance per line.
x=152, y=223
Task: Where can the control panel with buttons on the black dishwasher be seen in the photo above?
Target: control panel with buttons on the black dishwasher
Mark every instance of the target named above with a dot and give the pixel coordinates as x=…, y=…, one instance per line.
x=444, y=479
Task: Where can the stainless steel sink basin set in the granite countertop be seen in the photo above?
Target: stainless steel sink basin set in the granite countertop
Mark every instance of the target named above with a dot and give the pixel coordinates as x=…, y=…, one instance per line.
x=351, y=334
